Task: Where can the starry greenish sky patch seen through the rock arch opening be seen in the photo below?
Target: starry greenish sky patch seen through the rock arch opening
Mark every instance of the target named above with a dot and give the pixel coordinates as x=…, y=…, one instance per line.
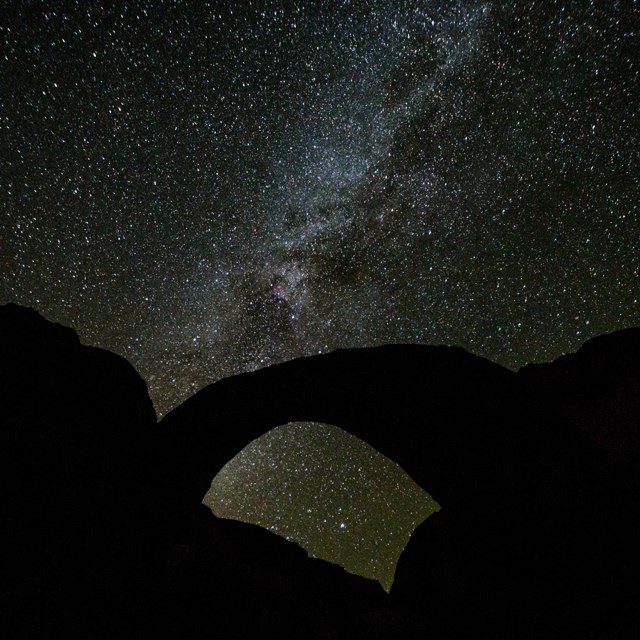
x=330, y=492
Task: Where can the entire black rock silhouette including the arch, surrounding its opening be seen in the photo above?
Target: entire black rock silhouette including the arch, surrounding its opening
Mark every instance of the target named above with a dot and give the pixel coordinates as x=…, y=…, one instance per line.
x=536, y=473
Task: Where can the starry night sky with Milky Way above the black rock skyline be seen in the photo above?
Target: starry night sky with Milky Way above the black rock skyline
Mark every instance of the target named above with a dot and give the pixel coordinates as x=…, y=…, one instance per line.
x=208, y=188
